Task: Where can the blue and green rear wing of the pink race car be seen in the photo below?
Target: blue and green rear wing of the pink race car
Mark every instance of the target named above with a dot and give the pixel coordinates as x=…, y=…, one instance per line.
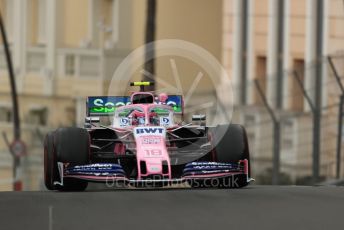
x=107, y=105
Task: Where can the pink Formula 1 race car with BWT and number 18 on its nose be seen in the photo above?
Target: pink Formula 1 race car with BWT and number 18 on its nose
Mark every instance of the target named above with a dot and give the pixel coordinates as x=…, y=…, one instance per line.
x=144, y=146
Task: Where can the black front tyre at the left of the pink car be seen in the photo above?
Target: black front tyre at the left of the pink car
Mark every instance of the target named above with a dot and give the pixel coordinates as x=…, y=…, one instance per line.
x=66, y=145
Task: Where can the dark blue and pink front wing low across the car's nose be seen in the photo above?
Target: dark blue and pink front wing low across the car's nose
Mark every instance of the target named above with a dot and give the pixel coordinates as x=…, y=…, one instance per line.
x=109, y=173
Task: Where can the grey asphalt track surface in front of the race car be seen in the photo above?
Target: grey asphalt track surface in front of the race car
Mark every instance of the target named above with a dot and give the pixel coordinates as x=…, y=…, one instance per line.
x=254, y=207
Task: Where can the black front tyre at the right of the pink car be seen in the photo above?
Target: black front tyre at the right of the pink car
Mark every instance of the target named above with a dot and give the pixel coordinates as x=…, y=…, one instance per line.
x=231, y=146
